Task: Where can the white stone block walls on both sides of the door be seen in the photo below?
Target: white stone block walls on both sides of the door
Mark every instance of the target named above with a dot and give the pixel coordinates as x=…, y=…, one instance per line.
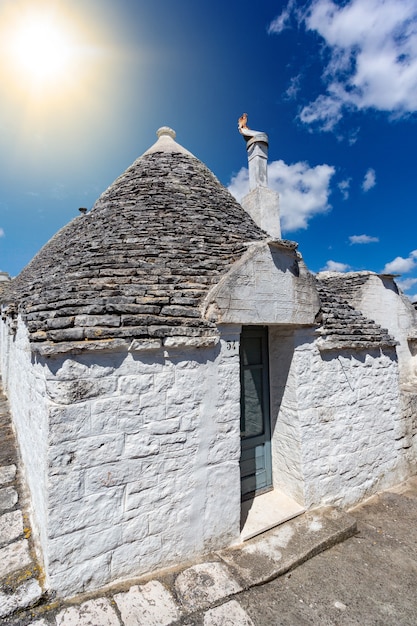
x=133, y=458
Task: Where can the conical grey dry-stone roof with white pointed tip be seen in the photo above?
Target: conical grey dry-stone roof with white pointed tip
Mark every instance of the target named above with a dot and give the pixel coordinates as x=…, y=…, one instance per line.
x=140, y=263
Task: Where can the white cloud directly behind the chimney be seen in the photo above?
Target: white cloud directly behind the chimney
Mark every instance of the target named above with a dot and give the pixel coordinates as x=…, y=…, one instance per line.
x=304, y=191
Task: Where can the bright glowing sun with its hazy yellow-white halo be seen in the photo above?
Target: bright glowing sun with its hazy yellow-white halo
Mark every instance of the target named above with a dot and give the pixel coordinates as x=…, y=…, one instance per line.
x=55, y=58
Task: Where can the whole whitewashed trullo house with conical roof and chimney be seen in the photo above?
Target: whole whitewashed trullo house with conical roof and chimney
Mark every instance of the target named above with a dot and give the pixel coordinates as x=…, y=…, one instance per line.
x=172, y=366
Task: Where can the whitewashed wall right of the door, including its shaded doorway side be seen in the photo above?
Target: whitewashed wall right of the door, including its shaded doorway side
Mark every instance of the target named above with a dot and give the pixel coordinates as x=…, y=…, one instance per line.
x=339, y=434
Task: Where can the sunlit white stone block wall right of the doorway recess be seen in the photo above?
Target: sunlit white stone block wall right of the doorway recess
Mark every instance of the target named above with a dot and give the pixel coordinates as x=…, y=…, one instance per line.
x=351, y=423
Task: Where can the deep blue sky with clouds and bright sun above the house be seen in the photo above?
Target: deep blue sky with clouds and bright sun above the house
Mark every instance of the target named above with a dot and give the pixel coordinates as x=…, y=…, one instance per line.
x=334, y=84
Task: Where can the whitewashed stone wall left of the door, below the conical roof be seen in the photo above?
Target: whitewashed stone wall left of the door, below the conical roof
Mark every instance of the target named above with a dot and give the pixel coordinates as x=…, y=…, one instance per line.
x=139, y=462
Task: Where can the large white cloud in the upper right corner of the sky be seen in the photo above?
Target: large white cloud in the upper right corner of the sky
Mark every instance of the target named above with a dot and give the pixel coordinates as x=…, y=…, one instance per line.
x=372, y=47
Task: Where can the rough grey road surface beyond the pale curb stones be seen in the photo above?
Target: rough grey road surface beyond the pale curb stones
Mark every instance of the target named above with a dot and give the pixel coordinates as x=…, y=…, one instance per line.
x=368, y=580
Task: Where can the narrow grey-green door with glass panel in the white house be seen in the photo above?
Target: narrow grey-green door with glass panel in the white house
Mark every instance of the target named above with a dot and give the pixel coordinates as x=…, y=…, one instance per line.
x=255, y=426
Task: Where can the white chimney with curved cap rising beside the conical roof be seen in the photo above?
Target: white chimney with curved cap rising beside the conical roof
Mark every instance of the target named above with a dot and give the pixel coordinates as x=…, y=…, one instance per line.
x=261, y=203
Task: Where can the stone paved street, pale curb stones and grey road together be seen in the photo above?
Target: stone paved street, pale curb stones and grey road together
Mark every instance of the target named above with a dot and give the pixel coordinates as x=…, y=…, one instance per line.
x=370, y=579
